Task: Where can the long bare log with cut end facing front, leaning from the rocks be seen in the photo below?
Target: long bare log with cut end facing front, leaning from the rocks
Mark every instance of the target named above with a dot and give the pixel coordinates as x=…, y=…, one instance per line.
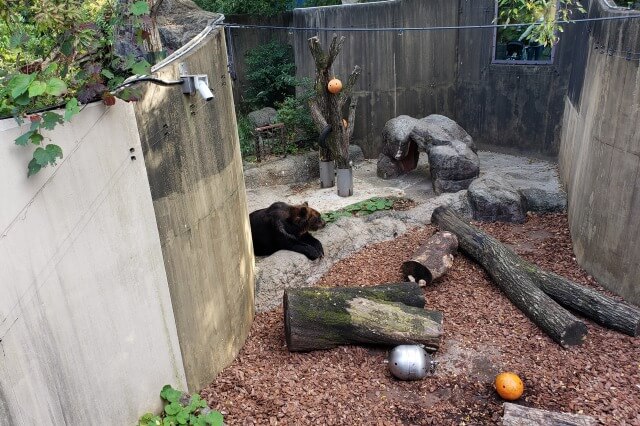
x=509, y=273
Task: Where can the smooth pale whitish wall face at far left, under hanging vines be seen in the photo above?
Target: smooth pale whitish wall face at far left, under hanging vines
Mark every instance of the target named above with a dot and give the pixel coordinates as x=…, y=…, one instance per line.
x=87, y=333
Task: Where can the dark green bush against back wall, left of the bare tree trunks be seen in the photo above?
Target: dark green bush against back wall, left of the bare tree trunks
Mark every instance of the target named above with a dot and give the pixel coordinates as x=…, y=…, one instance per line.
x=270, y=74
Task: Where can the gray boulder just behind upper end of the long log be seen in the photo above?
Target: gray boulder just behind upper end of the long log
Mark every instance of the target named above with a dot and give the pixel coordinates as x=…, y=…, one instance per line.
x=493, y=198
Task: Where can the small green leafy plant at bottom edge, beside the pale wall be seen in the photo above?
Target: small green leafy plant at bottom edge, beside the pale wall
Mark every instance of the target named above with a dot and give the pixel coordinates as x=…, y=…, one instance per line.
x=176, y=412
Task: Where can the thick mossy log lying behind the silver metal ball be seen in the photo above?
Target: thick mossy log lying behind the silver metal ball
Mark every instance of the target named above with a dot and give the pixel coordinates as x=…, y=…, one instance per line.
x=323, y=318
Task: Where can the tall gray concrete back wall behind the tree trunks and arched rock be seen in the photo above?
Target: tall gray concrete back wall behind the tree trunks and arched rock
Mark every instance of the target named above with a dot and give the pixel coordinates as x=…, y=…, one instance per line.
x=417, y=73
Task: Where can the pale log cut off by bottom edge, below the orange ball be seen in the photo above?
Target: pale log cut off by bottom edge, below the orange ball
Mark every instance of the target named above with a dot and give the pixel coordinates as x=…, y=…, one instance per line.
x=517, y=415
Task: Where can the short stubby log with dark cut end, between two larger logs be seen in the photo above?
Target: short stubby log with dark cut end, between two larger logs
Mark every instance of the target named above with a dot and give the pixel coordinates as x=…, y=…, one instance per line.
x=433, y=258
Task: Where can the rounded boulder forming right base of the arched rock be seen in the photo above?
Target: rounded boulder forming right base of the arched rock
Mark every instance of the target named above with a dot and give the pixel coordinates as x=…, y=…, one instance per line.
x=452, y=166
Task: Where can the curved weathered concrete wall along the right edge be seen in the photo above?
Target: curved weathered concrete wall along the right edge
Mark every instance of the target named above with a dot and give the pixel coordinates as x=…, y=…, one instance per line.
x=600, y=153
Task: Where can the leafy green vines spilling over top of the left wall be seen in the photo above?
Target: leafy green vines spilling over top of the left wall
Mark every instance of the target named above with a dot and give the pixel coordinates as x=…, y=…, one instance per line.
x=62, y=53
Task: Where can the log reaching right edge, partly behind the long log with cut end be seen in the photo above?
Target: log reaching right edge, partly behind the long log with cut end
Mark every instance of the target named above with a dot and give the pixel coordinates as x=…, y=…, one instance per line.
x=604, y=310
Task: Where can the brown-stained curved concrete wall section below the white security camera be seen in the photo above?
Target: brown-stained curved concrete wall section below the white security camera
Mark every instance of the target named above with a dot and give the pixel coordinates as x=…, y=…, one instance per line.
x=193, y=161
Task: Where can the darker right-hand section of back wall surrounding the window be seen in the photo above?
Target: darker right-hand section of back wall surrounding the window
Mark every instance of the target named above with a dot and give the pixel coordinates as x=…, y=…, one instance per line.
x=511, y=108
